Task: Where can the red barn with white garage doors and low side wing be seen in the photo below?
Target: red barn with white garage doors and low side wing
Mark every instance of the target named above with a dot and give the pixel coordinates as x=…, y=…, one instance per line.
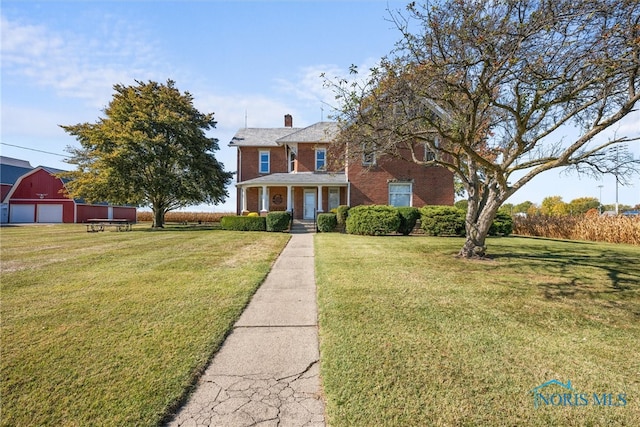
x=38, y=196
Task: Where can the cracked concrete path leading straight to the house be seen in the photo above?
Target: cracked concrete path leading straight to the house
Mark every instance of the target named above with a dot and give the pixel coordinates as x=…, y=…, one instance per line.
x=267, y=371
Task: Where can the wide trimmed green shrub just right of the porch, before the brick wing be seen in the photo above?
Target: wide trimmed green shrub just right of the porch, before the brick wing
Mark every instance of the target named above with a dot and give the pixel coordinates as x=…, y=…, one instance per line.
x=374, y=220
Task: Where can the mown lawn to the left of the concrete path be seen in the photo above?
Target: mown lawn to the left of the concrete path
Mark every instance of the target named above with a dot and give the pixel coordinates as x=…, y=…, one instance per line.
x=113, y=328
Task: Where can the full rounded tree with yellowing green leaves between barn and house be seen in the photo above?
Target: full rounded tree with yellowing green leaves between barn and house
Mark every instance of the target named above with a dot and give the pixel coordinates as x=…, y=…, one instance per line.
x=150, y=150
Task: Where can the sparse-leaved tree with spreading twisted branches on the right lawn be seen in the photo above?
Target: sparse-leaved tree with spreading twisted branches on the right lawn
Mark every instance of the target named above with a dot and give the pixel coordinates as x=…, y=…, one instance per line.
x=500, y=91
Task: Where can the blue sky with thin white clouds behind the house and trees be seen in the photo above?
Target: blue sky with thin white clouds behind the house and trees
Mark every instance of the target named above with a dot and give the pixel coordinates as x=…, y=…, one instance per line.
x=252, y=61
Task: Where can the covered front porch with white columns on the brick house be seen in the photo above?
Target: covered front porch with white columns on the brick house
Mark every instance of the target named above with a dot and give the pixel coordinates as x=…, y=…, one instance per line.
x=305, y=194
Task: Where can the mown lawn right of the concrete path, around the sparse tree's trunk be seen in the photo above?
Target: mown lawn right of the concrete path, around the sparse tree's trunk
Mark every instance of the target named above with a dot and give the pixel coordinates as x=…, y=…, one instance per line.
x=411, y=335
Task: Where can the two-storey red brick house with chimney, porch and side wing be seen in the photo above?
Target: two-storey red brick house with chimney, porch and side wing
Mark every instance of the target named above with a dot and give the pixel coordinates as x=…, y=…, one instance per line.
x=286, y=168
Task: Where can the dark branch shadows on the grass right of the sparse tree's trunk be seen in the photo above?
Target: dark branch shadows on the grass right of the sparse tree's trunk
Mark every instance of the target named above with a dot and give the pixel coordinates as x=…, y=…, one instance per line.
x=584, y=270
